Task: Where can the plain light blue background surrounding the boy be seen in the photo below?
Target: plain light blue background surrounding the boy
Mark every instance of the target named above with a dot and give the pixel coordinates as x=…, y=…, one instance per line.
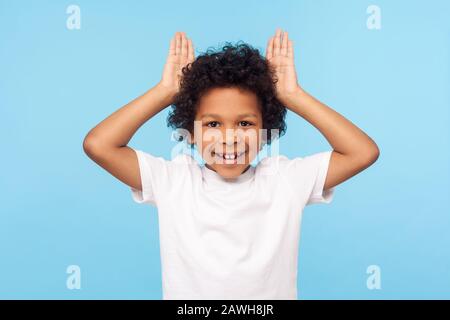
x=58, y=208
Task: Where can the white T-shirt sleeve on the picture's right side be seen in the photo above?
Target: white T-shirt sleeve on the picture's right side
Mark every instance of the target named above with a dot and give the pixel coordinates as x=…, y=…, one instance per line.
x=307, y=176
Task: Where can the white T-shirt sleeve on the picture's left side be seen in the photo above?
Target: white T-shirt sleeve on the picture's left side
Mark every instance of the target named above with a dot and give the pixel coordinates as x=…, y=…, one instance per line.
x=153, y=172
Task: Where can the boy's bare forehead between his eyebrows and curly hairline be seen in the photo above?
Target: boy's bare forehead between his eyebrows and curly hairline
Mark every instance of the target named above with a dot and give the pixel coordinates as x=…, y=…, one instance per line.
x=228, y=101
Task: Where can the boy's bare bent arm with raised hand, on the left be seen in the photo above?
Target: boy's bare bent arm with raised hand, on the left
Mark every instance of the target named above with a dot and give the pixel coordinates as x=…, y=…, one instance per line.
x=106, y=143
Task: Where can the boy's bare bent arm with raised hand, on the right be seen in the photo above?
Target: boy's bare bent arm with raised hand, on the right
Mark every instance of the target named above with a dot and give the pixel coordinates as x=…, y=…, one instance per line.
x=353, y=150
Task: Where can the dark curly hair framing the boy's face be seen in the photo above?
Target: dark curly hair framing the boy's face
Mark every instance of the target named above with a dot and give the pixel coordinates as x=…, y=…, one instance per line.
x=240, y=66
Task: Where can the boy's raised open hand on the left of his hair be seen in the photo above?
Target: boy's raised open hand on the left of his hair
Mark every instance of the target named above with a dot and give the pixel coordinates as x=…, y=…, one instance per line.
x=181, y=53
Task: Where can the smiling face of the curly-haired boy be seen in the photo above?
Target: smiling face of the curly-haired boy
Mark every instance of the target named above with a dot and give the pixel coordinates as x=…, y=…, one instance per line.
x=228, y=122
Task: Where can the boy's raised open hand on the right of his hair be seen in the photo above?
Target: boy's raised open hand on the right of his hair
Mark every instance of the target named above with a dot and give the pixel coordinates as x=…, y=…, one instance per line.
x=280, y=55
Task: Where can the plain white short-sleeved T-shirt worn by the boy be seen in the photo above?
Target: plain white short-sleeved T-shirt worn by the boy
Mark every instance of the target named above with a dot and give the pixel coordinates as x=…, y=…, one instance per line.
x=231, y=240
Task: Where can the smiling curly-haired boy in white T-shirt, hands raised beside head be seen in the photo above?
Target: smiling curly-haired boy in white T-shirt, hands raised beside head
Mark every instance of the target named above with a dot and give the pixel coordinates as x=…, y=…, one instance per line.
x=228, y=229
